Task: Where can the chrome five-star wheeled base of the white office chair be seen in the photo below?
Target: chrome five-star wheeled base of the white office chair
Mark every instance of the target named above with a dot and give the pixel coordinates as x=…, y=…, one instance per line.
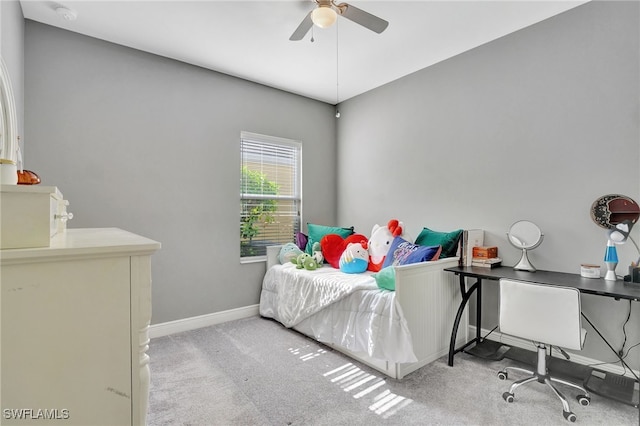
x=542, y=376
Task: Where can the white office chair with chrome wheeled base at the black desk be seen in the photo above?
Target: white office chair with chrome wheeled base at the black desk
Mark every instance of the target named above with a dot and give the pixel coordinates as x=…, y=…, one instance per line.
x=550, y=316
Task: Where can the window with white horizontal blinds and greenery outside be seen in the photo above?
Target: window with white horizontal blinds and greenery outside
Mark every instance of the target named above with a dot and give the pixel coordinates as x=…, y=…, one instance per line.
x=270, y=196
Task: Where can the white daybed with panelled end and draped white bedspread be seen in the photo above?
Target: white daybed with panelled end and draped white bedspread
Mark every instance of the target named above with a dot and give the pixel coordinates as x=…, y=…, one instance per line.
x=395, y=332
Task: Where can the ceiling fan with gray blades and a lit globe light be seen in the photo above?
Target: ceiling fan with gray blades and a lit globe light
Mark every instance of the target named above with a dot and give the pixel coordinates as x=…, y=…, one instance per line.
x=327, y=12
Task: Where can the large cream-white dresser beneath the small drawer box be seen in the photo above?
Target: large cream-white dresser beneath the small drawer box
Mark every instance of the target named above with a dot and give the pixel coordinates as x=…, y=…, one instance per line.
x=74, y=321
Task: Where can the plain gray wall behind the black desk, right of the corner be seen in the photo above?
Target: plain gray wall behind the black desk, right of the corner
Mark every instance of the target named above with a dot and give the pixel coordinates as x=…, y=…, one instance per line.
x=535, y=125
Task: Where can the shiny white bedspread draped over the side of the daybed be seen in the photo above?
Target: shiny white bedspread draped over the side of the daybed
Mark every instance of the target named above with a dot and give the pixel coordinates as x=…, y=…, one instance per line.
x=337, y=308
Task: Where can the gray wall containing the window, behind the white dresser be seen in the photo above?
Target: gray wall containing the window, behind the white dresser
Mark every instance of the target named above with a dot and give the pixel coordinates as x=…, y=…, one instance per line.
x=151, y=145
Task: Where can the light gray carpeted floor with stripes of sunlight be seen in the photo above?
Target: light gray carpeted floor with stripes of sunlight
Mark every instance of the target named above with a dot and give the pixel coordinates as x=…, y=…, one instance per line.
x=256, y=372
